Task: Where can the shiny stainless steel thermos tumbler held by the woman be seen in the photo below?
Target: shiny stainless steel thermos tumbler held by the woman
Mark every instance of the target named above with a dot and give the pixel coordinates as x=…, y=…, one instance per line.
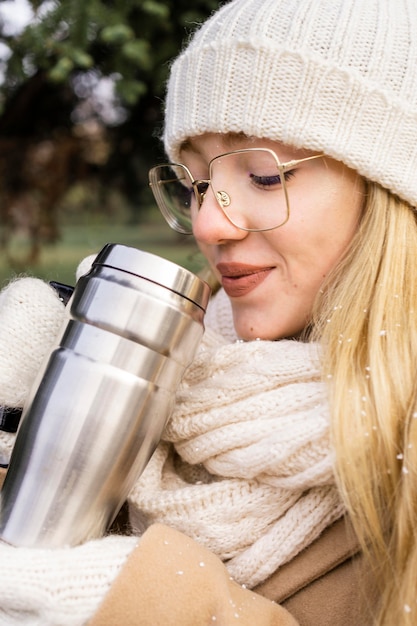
x=98, y=408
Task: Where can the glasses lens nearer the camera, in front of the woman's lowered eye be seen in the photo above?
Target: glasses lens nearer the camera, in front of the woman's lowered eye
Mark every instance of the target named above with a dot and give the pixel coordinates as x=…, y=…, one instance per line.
x=250, y=190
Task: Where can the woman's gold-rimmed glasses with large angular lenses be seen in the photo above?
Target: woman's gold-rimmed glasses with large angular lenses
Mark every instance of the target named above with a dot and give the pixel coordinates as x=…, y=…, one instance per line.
x=251, y=186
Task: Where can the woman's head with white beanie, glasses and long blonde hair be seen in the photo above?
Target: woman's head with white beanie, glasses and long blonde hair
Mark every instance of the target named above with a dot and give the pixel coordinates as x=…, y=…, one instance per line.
x=338, y=265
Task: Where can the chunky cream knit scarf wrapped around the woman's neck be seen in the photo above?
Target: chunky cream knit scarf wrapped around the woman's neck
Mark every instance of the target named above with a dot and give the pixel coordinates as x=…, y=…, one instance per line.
x=245, y=466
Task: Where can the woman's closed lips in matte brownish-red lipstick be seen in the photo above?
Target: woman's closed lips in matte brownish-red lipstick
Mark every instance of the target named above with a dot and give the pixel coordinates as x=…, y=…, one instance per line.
x=239, y=279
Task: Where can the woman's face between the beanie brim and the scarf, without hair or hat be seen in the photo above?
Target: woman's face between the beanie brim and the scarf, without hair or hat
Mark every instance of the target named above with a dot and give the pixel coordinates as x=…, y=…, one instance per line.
x=273, y=277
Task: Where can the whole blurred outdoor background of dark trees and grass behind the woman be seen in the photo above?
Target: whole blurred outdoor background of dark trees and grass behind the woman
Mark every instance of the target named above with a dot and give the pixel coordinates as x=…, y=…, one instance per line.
x=81, y=100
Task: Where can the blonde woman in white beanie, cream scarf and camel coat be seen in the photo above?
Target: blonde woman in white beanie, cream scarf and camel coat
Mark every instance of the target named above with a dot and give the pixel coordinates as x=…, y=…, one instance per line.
x=287, y=465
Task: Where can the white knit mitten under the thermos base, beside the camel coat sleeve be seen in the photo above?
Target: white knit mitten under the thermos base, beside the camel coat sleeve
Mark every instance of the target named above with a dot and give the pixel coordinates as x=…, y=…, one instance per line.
x=60, y=587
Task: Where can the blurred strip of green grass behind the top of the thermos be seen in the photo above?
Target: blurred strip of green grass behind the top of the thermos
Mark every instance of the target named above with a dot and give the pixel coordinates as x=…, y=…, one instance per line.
x=59, y=261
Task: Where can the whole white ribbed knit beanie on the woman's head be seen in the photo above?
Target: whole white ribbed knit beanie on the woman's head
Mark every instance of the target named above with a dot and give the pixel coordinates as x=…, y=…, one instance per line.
x=334, y=76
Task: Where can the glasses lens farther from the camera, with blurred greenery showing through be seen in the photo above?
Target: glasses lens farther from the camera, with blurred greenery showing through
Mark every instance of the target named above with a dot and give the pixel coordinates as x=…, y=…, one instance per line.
x=173, y=191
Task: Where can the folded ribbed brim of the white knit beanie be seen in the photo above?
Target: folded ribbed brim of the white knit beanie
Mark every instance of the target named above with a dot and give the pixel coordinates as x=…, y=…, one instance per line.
x=317, y=106
